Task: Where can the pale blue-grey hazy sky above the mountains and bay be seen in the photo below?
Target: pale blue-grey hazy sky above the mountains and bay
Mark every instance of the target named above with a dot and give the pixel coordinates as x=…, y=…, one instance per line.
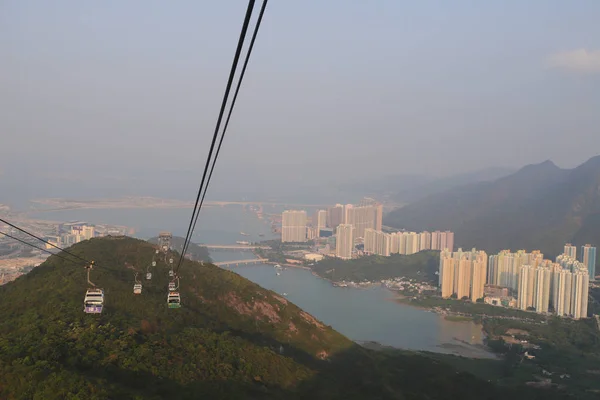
x=368, y=87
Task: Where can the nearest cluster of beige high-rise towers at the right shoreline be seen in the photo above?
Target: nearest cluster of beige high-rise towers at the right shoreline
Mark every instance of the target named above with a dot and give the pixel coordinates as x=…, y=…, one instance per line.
x=540, y=285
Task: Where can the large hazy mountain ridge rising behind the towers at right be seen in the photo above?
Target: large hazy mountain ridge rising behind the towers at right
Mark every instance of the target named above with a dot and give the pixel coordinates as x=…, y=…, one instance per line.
x=541, y=206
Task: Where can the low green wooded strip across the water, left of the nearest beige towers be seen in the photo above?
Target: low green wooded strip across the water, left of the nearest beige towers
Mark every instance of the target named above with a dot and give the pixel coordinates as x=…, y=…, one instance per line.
x=421, y=266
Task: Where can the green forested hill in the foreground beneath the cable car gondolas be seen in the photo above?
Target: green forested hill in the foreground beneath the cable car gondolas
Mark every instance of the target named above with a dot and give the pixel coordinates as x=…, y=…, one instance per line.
x=230, y=340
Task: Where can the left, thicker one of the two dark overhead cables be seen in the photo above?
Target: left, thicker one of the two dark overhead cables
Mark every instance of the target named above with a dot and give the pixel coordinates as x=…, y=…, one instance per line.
x=218, y=126
